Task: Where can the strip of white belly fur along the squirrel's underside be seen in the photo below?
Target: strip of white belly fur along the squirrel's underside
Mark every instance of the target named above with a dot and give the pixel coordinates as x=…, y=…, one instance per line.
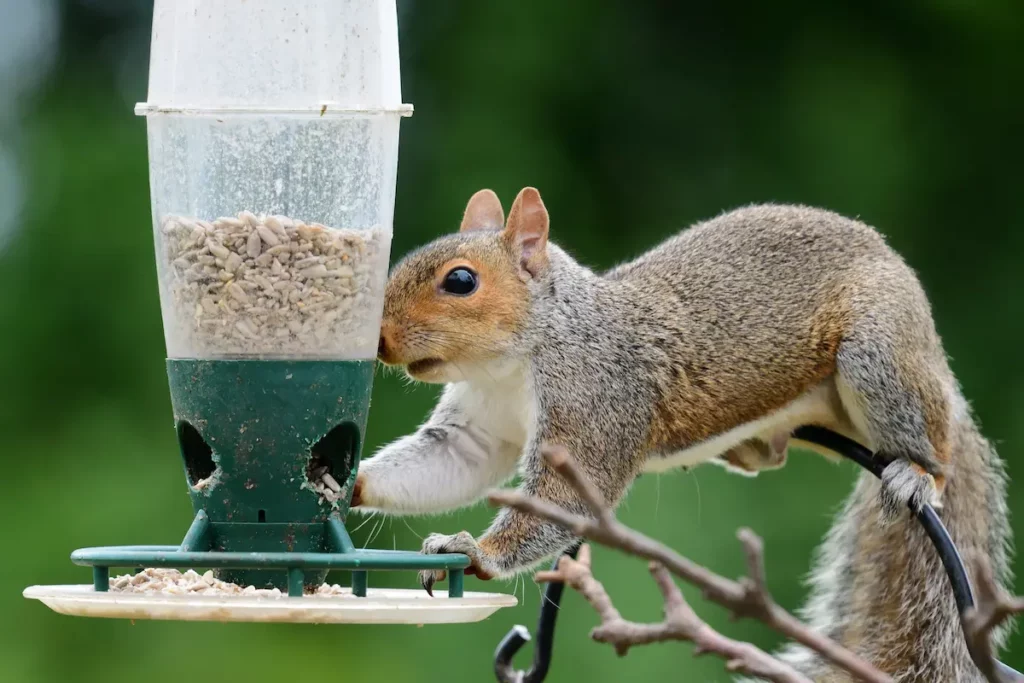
x=821, y=405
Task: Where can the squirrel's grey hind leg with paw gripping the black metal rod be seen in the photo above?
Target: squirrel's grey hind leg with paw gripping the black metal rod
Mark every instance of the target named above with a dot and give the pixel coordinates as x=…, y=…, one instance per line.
x=891, y=398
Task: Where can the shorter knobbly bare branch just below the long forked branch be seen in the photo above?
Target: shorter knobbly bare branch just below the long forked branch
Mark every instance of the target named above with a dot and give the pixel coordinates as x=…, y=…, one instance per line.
x=680, y=623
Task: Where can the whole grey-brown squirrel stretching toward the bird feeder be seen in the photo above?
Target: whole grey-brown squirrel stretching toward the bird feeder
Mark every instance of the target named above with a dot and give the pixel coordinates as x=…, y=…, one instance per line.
x=711, y=348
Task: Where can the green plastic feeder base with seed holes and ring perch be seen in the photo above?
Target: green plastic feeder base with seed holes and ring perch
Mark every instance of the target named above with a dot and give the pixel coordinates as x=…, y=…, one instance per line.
x=258, y=439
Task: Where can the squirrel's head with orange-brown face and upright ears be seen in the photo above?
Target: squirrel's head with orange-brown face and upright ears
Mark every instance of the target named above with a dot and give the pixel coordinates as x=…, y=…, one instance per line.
x=458, y=304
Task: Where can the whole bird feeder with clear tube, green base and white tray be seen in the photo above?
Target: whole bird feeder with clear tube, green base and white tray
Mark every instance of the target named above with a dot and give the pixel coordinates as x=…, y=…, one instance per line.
x=274, y=147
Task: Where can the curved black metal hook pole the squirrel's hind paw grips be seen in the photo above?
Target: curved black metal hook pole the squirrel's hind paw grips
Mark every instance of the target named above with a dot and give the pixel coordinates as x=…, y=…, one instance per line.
x=849, y=449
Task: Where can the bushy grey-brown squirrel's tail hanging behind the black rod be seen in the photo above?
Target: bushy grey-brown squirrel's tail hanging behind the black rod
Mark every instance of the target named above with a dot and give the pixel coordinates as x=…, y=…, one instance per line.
x=882, y=591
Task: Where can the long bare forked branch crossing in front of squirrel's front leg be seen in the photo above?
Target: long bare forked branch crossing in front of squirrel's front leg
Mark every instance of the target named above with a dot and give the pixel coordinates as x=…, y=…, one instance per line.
x=748, y=599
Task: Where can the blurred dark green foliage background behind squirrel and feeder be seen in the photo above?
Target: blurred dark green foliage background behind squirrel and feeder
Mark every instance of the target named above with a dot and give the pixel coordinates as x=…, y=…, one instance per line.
x=634, y=119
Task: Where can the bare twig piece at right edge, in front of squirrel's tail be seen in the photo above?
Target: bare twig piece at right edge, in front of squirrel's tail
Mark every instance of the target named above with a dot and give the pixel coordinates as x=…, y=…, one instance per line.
x=993, y=608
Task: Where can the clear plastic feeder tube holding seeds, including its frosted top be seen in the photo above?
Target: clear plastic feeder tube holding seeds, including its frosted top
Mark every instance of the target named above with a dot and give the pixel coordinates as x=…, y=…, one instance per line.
x=274, y=142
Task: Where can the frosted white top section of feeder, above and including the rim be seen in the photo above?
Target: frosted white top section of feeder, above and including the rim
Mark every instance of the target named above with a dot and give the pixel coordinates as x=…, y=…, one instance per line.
x=267, y=56
